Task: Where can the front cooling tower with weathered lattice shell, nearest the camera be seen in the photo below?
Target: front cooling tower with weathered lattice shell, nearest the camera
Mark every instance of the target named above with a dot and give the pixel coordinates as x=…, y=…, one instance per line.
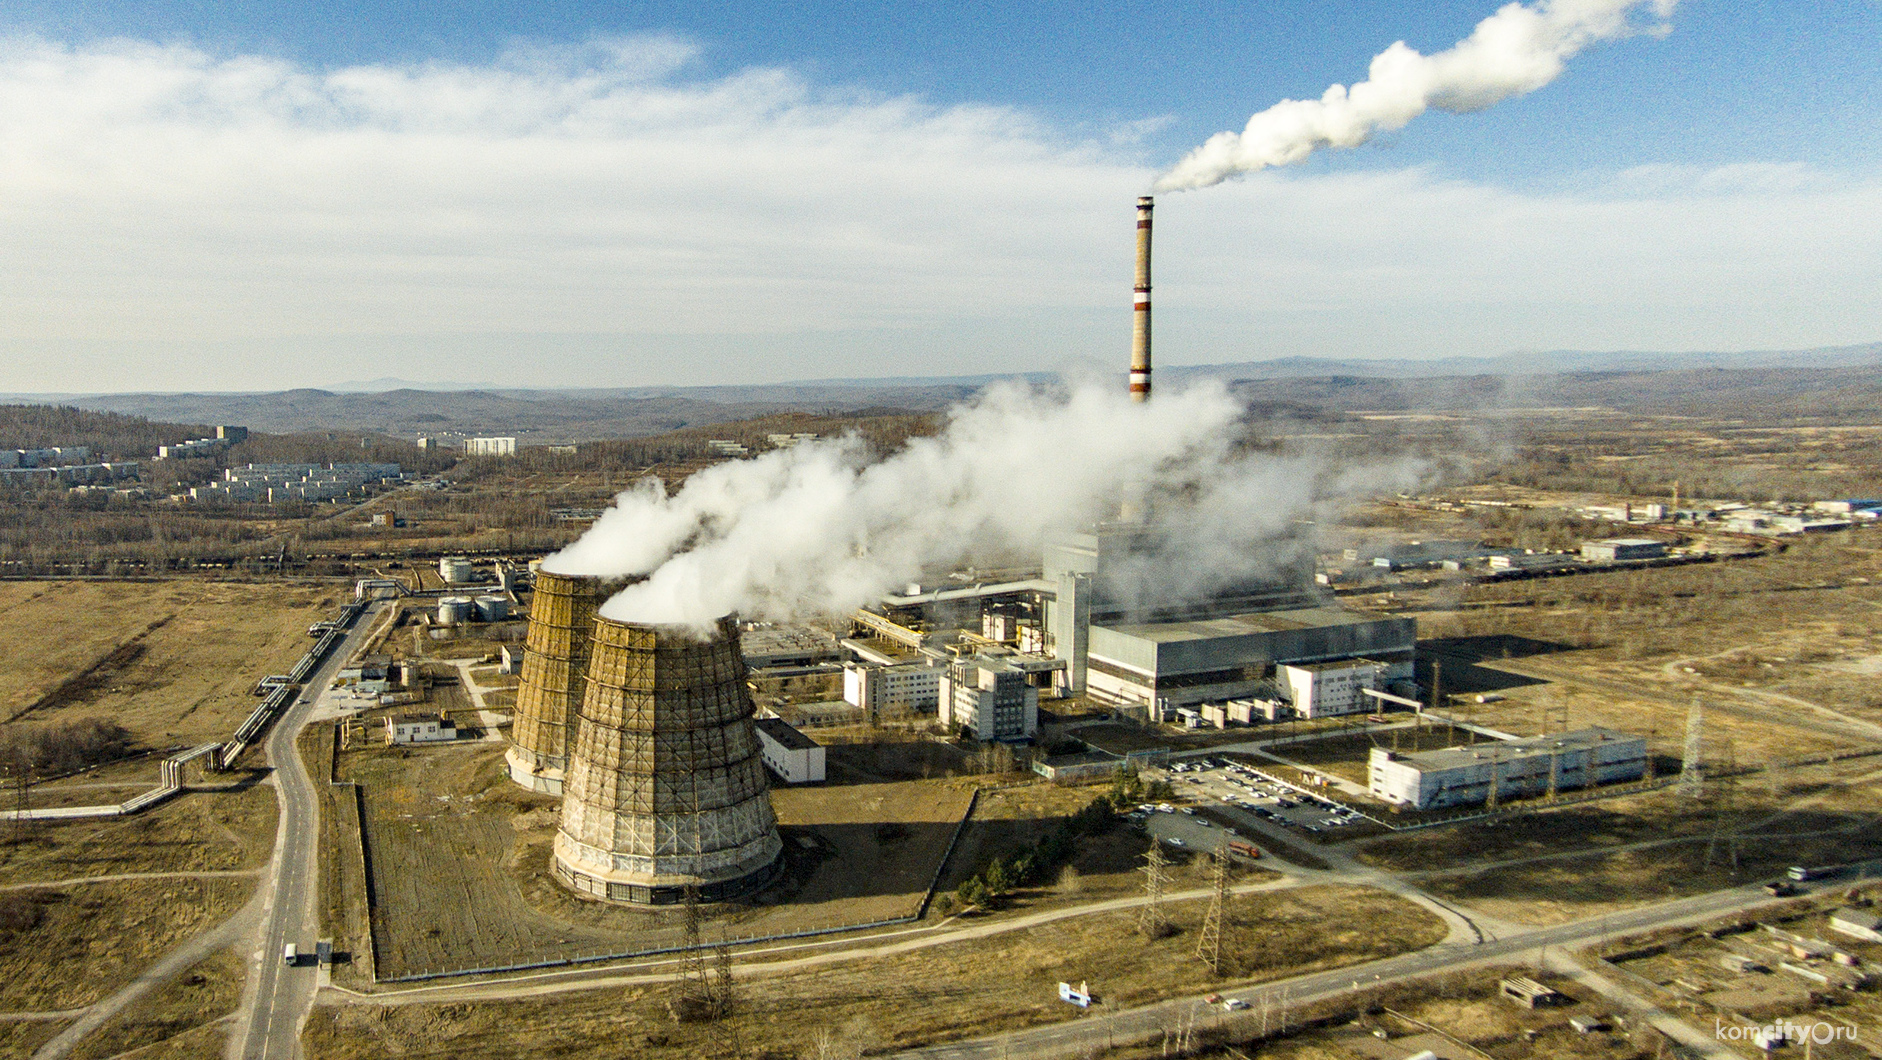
x=665, y=784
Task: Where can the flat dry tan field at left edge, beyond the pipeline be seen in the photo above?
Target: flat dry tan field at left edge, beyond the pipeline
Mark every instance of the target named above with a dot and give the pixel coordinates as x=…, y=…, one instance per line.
x=172, y=662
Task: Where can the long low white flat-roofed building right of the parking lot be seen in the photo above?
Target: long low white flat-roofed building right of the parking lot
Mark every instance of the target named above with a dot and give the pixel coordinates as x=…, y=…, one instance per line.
x=1510, y=769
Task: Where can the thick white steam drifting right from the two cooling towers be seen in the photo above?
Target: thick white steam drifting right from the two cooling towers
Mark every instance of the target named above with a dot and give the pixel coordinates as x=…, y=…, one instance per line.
x=821, y=528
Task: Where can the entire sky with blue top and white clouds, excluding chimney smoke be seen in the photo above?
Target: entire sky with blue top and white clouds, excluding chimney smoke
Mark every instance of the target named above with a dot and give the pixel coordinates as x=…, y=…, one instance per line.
x=215, y=195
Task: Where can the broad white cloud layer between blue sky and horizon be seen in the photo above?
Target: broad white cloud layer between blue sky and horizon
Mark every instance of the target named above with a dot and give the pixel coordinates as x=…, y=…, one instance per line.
x=601, y=216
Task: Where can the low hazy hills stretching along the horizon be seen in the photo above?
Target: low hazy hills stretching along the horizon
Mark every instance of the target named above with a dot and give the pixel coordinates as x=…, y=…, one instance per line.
x=1842, y=381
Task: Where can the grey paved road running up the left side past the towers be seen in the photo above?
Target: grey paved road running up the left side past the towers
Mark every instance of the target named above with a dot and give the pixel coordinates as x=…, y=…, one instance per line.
x=278, y=999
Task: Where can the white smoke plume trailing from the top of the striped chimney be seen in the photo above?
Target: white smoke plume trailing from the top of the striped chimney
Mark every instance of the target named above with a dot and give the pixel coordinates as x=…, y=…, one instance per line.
x=1516, y=52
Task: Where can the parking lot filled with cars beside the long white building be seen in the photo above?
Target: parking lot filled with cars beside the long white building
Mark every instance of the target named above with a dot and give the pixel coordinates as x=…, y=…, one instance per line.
x=1243, y=795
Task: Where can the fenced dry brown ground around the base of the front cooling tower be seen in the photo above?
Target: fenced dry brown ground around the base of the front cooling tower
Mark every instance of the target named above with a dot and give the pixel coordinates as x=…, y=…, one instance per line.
x=462, y=863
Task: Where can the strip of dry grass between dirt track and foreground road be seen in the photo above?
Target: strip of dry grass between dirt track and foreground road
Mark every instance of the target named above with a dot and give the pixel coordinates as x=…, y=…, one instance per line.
x=910, y=999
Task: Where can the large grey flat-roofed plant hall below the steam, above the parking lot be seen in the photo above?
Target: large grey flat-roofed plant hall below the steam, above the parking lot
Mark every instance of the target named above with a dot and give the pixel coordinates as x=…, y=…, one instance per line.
x=1213, y=660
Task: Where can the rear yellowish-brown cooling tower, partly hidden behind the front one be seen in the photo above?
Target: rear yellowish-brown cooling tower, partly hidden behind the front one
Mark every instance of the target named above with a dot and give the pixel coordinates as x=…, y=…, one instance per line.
x=562, y=626
